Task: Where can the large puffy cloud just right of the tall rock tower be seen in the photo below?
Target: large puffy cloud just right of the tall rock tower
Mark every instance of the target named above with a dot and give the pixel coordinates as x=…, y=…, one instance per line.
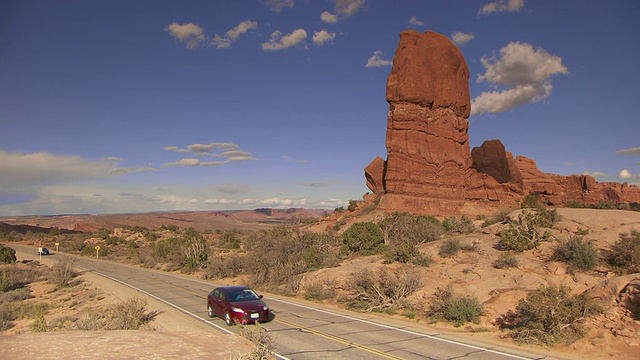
x=525, y=71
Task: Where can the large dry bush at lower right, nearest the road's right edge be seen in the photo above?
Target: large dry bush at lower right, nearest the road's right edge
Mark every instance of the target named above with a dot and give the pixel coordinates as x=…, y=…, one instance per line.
x=549, y=315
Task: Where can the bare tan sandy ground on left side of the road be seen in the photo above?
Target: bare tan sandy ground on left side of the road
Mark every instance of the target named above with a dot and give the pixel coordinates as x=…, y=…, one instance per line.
x=173, y=335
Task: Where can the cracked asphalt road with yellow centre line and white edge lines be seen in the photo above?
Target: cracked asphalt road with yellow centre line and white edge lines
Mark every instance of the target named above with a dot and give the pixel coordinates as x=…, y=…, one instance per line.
x=303, y=330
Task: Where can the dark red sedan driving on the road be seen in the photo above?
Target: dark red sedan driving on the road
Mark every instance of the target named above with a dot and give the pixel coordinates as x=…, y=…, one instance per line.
x=237, y=304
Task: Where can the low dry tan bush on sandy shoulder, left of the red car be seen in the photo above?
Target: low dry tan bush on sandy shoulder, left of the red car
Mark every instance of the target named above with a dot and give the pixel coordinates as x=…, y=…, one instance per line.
x=130, y=315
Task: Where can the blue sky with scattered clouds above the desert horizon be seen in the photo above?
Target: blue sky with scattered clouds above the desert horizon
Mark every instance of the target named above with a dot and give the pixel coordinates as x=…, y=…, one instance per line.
x=120, y=106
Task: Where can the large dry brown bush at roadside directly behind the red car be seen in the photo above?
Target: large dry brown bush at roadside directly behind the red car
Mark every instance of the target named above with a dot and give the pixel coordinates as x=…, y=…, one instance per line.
x=276, y=256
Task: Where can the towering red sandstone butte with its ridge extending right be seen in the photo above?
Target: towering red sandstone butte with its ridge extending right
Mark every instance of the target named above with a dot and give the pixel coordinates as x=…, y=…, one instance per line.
x=429, y=167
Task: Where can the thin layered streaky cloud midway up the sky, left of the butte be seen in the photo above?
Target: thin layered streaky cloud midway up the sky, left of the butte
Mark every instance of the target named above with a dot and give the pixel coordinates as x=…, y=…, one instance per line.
x=231, y=152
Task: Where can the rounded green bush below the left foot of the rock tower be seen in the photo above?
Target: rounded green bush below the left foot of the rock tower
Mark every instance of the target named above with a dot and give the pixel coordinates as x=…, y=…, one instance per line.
x=363, y=238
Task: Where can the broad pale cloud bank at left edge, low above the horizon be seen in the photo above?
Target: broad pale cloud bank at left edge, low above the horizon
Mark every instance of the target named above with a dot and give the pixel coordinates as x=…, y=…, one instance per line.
x=25, y=173
